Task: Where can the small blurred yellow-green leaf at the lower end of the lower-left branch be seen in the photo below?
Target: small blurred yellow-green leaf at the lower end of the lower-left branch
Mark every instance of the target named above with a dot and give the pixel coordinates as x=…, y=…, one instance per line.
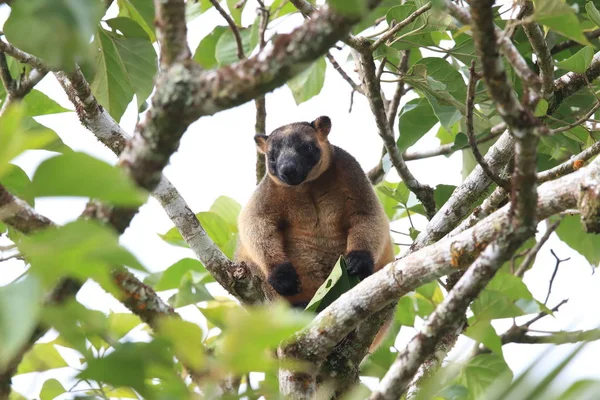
x=186, y=339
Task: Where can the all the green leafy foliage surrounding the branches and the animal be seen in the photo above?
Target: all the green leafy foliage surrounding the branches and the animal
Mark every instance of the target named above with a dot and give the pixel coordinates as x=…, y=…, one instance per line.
x=118, y=57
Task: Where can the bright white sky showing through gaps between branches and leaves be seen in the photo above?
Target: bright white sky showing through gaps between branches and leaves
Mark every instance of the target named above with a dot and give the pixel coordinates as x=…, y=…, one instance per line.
x=217, y=157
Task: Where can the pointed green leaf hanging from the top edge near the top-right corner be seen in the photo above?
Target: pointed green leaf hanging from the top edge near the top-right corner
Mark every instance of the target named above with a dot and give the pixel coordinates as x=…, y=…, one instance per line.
x=560, y=17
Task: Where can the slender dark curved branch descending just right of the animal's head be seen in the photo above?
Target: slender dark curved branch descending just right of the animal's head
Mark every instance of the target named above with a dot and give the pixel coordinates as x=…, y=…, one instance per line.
x=373, y=91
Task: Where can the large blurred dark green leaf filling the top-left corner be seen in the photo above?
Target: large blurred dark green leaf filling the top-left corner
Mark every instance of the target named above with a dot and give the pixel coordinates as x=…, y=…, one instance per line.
x=65, y=24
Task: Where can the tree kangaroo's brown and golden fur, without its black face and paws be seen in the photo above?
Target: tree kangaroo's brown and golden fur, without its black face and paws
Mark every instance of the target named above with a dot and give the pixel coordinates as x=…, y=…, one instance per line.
x=333, y=212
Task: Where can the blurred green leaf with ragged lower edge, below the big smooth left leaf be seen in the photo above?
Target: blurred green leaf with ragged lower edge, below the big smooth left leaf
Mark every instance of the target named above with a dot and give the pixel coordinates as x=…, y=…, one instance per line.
x=81, y=249
